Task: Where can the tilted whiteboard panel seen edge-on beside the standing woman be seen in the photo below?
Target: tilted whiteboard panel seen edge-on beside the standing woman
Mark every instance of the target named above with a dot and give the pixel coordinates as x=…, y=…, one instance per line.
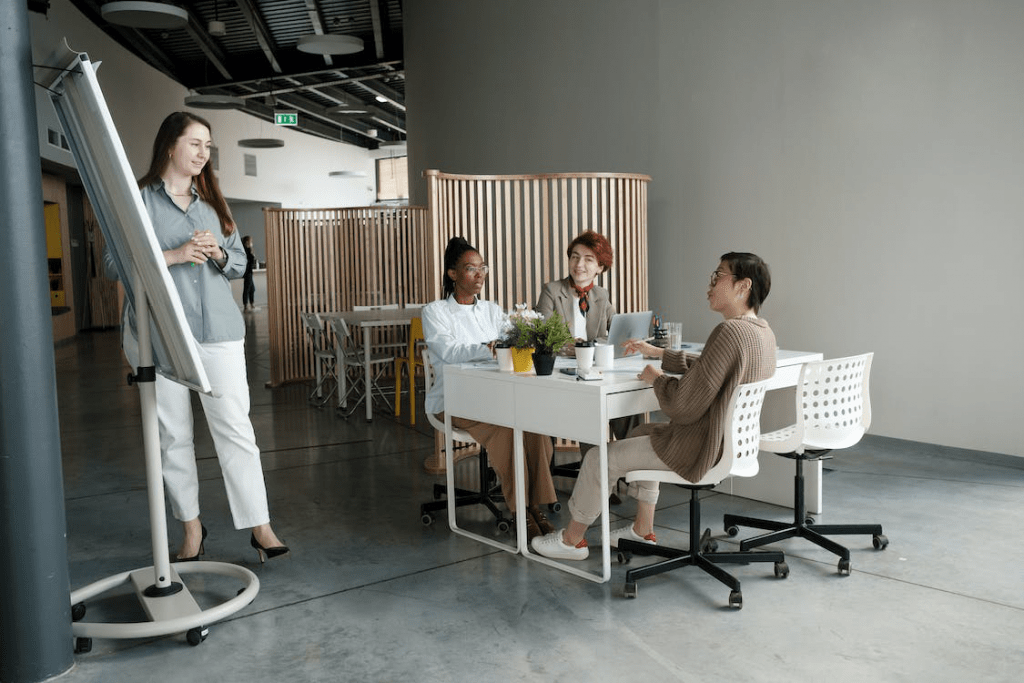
x=124, y=220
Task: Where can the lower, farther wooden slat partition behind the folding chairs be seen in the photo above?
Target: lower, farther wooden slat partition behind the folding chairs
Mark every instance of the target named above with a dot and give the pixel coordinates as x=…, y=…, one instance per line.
x=332, y=260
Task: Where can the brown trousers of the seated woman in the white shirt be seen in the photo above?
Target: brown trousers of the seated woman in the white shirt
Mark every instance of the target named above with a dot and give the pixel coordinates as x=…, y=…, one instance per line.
x=498, y=441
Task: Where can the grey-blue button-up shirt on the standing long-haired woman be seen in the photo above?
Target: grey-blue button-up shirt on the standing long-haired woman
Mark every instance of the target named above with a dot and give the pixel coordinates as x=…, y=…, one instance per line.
x=206, y=295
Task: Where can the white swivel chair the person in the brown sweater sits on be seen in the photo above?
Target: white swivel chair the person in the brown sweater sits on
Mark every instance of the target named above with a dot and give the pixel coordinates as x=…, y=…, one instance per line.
x=740, y=458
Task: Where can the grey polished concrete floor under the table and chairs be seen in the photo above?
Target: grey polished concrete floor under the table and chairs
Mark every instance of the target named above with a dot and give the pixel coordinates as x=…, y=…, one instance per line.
x=370, y=594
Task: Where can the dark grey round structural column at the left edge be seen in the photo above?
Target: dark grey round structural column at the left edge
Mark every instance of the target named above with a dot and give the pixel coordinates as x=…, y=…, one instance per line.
x=35, y=610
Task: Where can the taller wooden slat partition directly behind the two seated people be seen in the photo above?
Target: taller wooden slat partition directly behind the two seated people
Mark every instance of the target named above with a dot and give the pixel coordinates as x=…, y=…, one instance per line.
x=523, y=225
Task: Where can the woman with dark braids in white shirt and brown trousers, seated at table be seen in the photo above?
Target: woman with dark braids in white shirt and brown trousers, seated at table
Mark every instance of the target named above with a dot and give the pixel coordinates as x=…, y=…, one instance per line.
x=462, y=328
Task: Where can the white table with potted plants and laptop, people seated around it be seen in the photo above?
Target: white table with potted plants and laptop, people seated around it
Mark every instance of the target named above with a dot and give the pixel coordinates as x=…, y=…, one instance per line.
x=562, y=406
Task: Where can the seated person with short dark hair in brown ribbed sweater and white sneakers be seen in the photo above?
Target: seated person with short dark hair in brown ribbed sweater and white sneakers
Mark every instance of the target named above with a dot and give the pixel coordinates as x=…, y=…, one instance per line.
x=741, y=350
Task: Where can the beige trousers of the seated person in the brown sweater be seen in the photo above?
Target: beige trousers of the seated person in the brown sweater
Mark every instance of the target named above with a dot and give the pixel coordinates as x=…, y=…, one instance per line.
x=625, y=456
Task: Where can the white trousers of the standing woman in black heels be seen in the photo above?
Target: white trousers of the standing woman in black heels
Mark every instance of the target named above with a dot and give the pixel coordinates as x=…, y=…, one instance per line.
x=234, y=439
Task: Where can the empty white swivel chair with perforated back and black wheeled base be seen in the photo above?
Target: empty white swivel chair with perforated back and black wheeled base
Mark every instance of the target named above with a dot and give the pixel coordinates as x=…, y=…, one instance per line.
x=834, y=411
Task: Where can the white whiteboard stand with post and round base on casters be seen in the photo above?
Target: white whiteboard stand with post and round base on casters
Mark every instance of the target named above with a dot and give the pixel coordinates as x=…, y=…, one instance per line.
x=165, y=599
